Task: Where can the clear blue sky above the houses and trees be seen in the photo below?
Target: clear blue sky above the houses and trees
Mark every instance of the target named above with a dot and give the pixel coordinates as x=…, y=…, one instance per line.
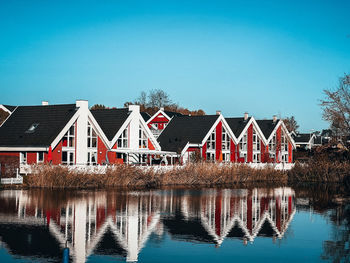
x=264, y=57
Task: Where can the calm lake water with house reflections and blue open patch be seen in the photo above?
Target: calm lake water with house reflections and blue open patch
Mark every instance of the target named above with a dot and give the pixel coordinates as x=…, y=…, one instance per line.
x=289, y=224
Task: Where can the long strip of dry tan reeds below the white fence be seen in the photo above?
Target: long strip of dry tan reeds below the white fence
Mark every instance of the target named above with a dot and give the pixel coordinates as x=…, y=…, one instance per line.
x=205, y=174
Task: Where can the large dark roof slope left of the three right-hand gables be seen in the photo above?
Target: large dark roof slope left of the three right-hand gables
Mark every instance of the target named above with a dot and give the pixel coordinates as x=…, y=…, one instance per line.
x=184, y=129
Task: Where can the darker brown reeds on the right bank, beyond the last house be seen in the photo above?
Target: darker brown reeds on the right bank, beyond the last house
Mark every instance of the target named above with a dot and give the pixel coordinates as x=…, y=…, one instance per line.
x=320, y=170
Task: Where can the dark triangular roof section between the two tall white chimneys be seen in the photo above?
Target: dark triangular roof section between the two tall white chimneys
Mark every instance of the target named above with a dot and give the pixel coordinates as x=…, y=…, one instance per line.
x=110, y=120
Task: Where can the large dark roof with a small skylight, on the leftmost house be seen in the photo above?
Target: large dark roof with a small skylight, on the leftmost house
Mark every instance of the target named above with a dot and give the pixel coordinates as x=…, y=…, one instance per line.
x=50, y=121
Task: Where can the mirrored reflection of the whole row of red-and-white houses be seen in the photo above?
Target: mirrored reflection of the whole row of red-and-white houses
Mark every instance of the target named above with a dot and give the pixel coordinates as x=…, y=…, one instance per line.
x=38, y=224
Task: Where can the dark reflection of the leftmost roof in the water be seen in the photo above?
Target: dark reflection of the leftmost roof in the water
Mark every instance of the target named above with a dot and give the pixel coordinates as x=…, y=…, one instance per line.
x=28, y=242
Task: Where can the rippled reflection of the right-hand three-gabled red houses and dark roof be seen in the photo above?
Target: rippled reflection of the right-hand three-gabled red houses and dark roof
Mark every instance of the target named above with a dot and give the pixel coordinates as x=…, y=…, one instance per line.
x=243, y=214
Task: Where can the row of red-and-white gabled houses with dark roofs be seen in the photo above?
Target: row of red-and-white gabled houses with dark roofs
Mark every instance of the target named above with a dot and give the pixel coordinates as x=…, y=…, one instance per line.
x=72, y=134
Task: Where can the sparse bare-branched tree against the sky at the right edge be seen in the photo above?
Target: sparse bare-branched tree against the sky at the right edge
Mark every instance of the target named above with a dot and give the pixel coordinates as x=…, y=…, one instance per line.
x=336, y=107
